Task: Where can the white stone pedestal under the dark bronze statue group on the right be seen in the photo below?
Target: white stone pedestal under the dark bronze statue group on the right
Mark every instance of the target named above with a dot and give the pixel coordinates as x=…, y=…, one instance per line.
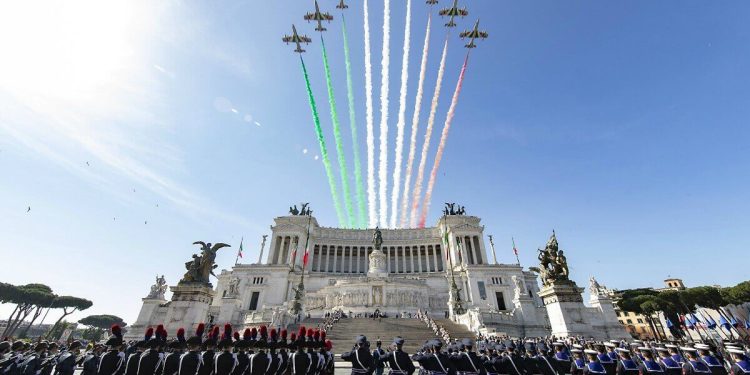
x=567, y=313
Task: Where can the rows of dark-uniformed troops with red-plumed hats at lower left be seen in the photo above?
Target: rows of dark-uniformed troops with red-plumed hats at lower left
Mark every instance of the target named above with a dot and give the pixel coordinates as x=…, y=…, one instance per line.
x=254, y=352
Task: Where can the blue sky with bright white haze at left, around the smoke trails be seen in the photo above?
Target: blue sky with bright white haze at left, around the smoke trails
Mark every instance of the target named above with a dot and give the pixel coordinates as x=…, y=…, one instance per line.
x=620, y=125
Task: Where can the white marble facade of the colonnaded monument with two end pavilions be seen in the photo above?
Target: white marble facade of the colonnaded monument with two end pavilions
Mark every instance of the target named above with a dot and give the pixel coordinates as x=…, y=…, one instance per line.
x=500, y=298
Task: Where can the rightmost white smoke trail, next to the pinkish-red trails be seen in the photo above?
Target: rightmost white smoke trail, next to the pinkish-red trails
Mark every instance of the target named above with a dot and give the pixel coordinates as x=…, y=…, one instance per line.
x=401, y=118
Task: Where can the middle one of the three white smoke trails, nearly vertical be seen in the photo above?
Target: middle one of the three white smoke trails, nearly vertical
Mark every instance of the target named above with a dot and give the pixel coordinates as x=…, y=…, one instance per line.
x=384, y=91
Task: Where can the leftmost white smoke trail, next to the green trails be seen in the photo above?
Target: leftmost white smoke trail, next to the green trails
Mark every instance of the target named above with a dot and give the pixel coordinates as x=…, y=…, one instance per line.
x=372, y=209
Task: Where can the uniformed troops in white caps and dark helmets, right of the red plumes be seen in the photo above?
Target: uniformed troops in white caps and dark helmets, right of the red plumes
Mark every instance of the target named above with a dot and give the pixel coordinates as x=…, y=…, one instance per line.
x=575, y=356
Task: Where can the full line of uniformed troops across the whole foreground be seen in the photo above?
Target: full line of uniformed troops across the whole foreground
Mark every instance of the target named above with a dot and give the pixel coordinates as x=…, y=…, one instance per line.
x=307, y=352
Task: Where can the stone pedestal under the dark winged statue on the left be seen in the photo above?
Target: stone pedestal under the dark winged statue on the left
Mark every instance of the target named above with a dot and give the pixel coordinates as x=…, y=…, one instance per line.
x=189, y=306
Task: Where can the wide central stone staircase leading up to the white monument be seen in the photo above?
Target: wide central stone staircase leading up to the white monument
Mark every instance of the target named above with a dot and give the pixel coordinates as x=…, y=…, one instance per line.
x=414, y=331
